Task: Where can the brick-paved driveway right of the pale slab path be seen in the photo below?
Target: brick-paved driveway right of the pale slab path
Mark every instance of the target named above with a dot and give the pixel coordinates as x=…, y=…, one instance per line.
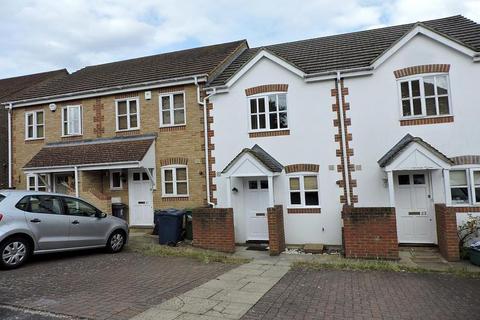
x=369, y=295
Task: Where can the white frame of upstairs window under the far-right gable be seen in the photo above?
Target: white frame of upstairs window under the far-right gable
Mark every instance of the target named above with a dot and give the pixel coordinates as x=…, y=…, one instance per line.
x=420, y=78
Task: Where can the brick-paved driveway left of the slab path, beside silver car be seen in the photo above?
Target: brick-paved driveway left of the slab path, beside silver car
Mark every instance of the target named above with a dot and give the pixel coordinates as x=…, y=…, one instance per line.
x=96, y=285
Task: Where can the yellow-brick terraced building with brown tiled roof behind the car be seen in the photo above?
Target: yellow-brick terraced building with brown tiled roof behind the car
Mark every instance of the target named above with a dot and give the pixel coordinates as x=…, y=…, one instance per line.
x=129, y=132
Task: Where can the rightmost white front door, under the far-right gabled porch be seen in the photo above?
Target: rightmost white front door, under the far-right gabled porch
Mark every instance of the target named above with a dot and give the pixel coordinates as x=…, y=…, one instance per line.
x=414, y=208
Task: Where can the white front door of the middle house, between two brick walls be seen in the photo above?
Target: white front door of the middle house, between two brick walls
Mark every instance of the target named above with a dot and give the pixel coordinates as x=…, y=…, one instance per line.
x=256, y=204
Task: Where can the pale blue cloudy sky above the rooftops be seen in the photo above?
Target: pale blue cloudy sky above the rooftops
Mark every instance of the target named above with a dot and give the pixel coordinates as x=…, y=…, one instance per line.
x=42, y=35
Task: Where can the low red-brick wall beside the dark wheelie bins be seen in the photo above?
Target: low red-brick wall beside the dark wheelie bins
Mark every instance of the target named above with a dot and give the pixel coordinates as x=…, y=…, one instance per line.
x=213, y=229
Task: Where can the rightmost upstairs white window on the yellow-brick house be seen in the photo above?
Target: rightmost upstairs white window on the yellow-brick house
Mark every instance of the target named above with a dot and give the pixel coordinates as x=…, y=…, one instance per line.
x=172, y=109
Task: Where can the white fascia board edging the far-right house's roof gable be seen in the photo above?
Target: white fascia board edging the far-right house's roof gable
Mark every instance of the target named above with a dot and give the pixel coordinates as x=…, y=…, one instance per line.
x=428, y=33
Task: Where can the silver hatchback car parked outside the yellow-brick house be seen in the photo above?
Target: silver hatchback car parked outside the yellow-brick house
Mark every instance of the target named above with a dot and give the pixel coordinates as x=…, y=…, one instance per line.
x=39, y=222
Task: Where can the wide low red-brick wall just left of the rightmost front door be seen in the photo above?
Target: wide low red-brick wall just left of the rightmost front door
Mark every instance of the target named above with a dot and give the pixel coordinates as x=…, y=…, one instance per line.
x=370, y=233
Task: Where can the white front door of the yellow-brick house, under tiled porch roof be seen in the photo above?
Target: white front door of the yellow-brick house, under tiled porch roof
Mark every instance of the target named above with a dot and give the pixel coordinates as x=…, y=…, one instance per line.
x=140, y=198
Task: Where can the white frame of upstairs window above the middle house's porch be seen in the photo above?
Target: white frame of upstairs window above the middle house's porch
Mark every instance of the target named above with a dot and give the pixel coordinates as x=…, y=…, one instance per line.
x=265, y=96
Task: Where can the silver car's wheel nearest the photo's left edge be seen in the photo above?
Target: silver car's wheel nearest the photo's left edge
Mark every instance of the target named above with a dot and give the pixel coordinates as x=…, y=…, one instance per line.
x=14, y=252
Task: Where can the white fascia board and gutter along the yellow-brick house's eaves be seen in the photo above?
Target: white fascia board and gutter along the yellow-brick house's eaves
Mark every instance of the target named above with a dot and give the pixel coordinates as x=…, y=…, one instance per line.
x=107, y=91
